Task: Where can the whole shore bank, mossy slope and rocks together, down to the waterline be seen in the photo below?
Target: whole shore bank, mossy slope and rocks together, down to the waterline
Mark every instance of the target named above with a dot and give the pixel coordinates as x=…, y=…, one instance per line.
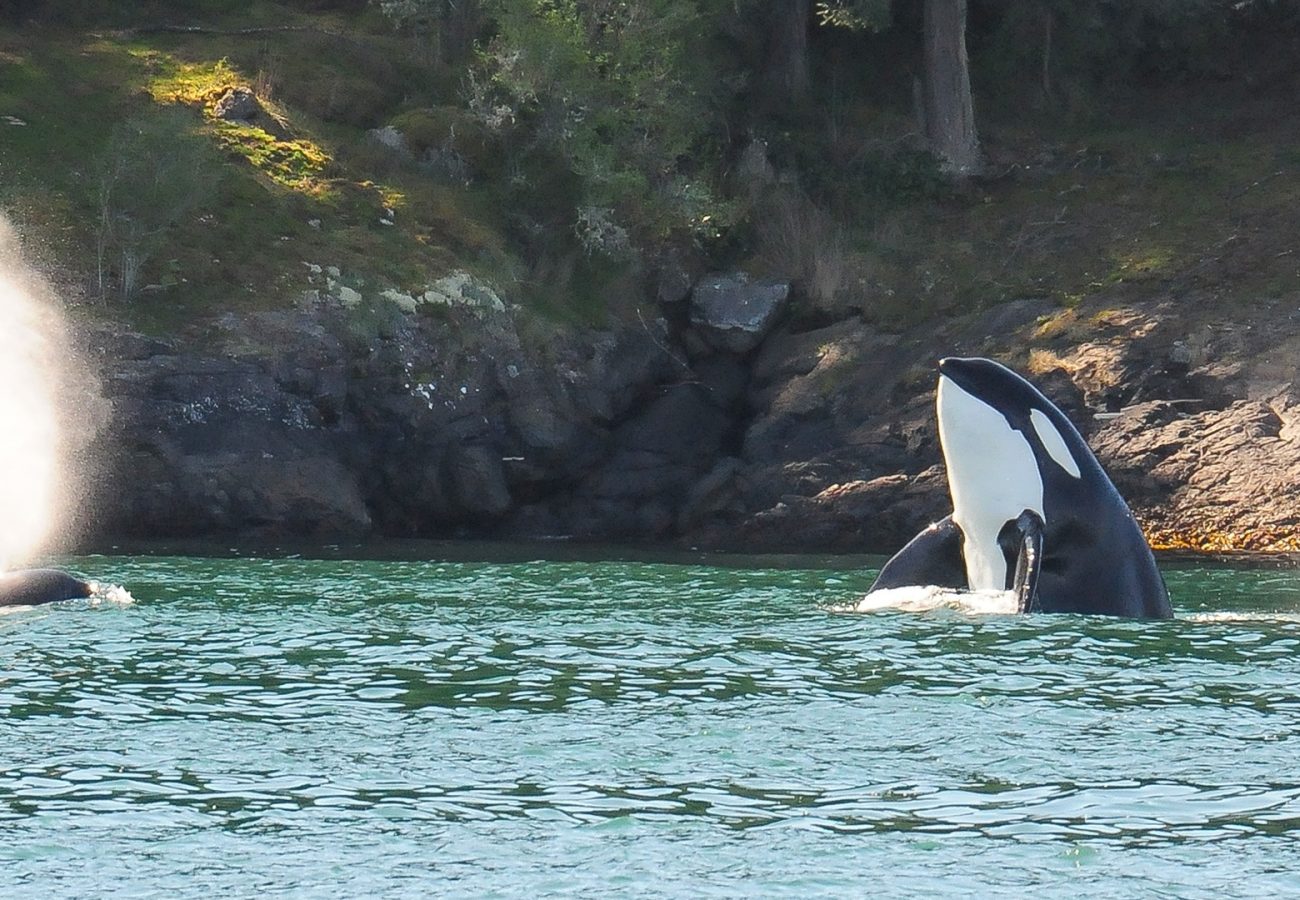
x=359, y=306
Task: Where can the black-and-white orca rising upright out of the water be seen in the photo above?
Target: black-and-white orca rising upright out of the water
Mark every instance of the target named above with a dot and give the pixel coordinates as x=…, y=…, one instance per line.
x=1033, y=509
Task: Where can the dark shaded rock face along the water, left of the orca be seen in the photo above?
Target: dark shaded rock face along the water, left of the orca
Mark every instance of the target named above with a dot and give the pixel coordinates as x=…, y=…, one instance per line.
x=323, y=423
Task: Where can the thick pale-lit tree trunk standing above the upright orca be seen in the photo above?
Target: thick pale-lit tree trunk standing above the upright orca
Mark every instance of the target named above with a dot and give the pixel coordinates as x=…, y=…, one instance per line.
x=950, y=112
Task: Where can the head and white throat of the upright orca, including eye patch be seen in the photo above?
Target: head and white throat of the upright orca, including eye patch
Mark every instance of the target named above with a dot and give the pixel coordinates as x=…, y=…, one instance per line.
x=1004, y=444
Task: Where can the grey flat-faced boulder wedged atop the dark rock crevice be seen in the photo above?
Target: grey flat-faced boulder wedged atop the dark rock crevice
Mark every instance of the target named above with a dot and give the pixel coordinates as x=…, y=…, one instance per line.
x=735, y=314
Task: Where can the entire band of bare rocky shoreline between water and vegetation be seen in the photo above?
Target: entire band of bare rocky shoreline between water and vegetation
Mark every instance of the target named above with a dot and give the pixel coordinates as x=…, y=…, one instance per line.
x=714, y=417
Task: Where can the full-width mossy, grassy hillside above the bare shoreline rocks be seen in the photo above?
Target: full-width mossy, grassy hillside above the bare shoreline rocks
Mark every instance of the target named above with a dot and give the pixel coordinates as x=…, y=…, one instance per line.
x=367, y=155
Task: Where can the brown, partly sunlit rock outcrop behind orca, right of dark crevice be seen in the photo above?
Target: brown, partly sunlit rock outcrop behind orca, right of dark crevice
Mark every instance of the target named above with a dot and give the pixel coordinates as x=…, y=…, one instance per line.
x=1198, y=425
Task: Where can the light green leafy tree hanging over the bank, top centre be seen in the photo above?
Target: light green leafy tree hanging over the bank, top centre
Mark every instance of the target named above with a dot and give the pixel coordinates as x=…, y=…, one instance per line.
x=616, y=89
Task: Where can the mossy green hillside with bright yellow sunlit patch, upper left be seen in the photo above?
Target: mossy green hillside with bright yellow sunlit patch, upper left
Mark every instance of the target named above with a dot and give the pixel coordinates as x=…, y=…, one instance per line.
x=90, y=136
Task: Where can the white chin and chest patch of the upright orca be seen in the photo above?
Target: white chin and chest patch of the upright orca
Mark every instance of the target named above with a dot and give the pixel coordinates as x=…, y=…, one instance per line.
x=993, y=477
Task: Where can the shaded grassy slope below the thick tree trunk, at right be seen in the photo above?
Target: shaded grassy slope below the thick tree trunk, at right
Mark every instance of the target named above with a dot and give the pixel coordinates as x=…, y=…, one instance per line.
x=1136, y=202
